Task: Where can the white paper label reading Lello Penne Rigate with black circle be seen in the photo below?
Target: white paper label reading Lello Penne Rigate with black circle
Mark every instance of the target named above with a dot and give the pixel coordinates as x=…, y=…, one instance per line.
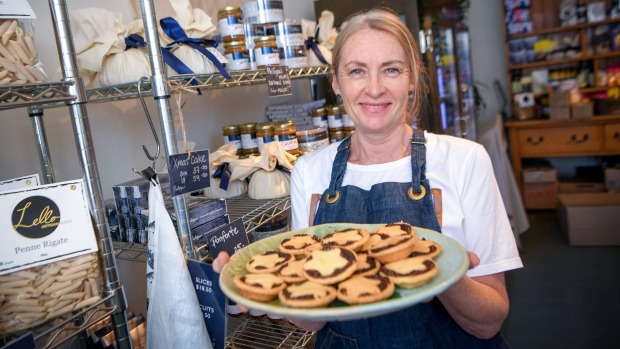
x=43, y=225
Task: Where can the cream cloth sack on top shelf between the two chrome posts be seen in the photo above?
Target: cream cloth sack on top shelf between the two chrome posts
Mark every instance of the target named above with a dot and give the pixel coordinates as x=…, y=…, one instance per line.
x=115, y=54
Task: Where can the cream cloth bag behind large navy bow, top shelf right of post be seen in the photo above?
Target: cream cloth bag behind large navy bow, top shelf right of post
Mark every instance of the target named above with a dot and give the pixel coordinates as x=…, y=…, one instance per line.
x=197, y=25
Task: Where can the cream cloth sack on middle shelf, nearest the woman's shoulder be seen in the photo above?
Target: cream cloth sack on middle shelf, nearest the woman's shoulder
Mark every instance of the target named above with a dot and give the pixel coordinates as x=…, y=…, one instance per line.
x=269, y=173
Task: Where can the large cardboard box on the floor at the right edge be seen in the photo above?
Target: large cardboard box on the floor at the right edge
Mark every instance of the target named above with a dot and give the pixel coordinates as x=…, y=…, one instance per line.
x=590, y=219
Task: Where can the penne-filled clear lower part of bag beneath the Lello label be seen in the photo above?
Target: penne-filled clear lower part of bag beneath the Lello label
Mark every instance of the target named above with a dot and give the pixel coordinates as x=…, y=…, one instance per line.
x=33, y=296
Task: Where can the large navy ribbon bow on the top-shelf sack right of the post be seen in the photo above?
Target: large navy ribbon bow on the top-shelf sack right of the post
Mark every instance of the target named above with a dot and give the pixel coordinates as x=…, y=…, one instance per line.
x=174, y=31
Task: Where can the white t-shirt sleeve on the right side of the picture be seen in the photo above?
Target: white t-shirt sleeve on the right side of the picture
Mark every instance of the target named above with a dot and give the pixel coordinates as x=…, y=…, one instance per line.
x=486, y=226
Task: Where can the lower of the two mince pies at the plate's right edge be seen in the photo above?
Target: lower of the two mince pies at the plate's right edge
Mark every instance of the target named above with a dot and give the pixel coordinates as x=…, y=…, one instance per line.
x=410, y=272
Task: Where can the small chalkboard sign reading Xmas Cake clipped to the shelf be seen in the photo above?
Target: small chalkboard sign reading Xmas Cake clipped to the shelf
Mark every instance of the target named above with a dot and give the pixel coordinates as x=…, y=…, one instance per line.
x=189, y=173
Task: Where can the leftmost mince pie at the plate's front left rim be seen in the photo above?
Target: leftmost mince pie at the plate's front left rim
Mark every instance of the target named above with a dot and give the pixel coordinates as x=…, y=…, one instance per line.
x=259, y=287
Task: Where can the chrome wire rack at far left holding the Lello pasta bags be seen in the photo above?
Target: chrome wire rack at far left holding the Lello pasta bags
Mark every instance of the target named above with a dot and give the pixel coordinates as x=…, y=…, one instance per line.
x=71, y=92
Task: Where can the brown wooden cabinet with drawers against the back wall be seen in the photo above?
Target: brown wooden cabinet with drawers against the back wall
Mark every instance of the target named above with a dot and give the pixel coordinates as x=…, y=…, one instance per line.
x=562, y=138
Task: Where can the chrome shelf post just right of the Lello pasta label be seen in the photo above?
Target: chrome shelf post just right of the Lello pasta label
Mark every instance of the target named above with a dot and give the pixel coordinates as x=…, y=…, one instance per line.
x=86, y=153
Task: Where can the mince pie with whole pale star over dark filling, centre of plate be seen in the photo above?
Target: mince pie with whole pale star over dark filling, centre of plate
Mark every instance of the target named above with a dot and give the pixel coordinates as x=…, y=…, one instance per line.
x=330, y=265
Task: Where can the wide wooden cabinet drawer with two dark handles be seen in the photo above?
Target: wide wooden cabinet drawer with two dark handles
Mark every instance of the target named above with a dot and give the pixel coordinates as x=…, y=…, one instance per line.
x=560, y=141
